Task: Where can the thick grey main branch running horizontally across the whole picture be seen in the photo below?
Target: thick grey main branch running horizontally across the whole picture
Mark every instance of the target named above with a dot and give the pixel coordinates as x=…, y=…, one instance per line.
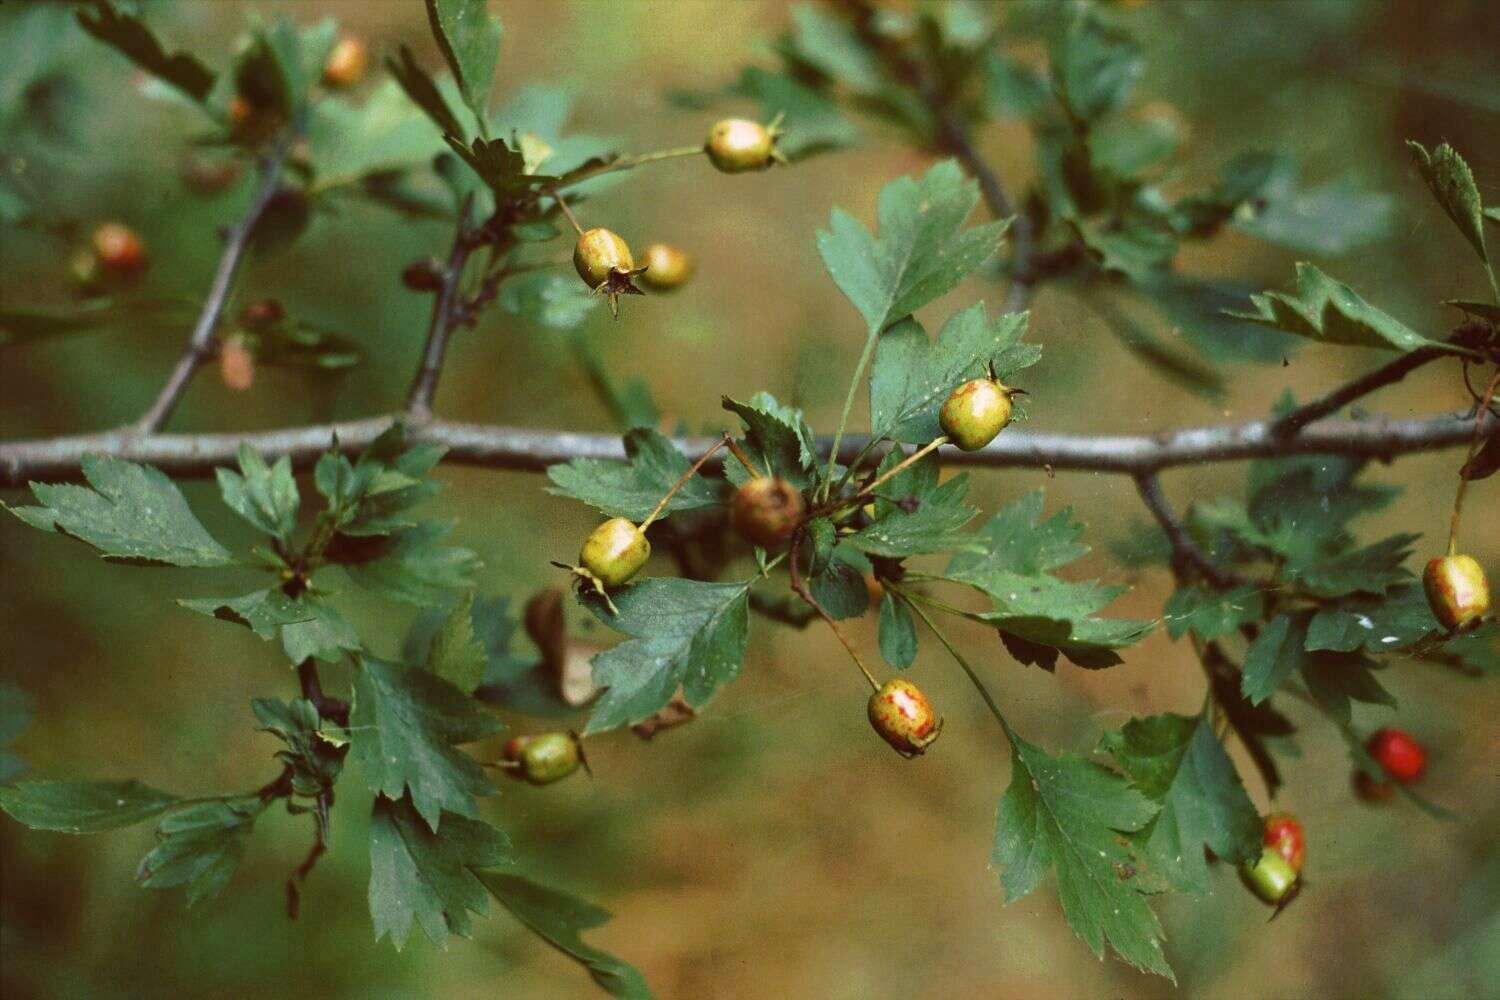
x=532, y=451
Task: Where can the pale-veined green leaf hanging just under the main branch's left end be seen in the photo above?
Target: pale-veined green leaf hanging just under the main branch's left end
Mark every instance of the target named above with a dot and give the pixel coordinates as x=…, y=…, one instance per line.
x=133, y=515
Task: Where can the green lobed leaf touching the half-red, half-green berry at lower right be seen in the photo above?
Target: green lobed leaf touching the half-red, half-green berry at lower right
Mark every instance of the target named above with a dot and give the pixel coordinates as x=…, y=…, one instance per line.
x=1178, y=762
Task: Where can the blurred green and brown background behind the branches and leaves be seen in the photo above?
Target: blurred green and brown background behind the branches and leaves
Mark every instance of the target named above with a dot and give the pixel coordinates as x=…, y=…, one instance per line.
x=773, y=848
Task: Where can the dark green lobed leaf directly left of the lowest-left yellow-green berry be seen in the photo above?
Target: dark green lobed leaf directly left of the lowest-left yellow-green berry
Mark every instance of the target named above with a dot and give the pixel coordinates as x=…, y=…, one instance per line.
x=404, y=729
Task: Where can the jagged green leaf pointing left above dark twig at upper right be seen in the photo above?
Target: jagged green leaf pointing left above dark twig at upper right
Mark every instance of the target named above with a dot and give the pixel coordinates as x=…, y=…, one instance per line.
x=1328, y=311
